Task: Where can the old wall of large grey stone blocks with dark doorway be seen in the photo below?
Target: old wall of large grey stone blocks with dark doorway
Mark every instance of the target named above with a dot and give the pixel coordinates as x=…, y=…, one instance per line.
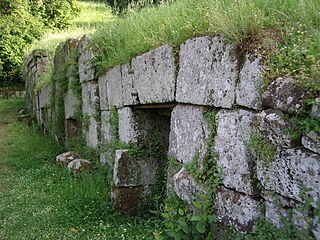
x=155, y=91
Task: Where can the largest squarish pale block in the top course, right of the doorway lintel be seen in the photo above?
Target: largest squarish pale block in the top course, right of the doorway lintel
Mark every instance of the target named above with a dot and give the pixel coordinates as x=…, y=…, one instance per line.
x=208, y=72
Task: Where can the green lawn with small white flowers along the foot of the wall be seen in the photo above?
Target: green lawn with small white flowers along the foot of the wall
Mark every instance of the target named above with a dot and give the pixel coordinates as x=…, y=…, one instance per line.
x=39, y=200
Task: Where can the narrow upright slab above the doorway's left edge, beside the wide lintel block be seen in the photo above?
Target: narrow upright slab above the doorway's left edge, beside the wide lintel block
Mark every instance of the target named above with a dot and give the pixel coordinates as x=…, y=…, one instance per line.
x=130, y=94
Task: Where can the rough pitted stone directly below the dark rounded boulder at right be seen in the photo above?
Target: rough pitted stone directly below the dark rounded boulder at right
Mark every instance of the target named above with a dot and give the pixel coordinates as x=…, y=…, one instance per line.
x=271, y=123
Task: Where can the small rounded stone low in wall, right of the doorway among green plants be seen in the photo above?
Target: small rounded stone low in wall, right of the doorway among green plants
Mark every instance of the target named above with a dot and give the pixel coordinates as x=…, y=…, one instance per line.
x=185, y=187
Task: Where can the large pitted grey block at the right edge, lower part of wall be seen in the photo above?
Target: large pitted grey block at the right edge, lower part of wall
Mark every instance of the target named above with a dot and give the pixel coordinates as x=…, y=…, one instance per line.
x=292, y=170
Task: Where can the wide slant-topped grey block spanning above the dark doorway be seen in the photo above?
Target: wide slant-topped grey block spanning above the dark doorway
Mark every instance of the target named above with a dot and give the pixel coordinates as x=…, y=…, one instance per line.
x=154, y=76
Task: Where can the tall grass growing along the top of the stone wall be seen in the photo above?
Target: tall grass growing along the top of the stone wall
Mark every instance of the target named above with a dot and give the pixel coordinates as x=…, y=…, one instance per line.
x=258, y=22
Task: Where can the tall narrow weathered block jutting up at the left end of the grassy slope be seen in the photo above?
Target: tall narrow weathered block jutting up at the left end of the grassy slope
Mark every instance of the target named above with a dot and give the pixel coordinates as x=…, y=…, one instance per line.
x=85, y=68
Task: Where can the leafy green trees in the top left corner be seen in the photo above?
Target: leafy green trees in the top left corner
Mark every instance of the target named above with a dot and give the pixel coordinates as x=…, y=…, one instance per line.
x=22, y=21
